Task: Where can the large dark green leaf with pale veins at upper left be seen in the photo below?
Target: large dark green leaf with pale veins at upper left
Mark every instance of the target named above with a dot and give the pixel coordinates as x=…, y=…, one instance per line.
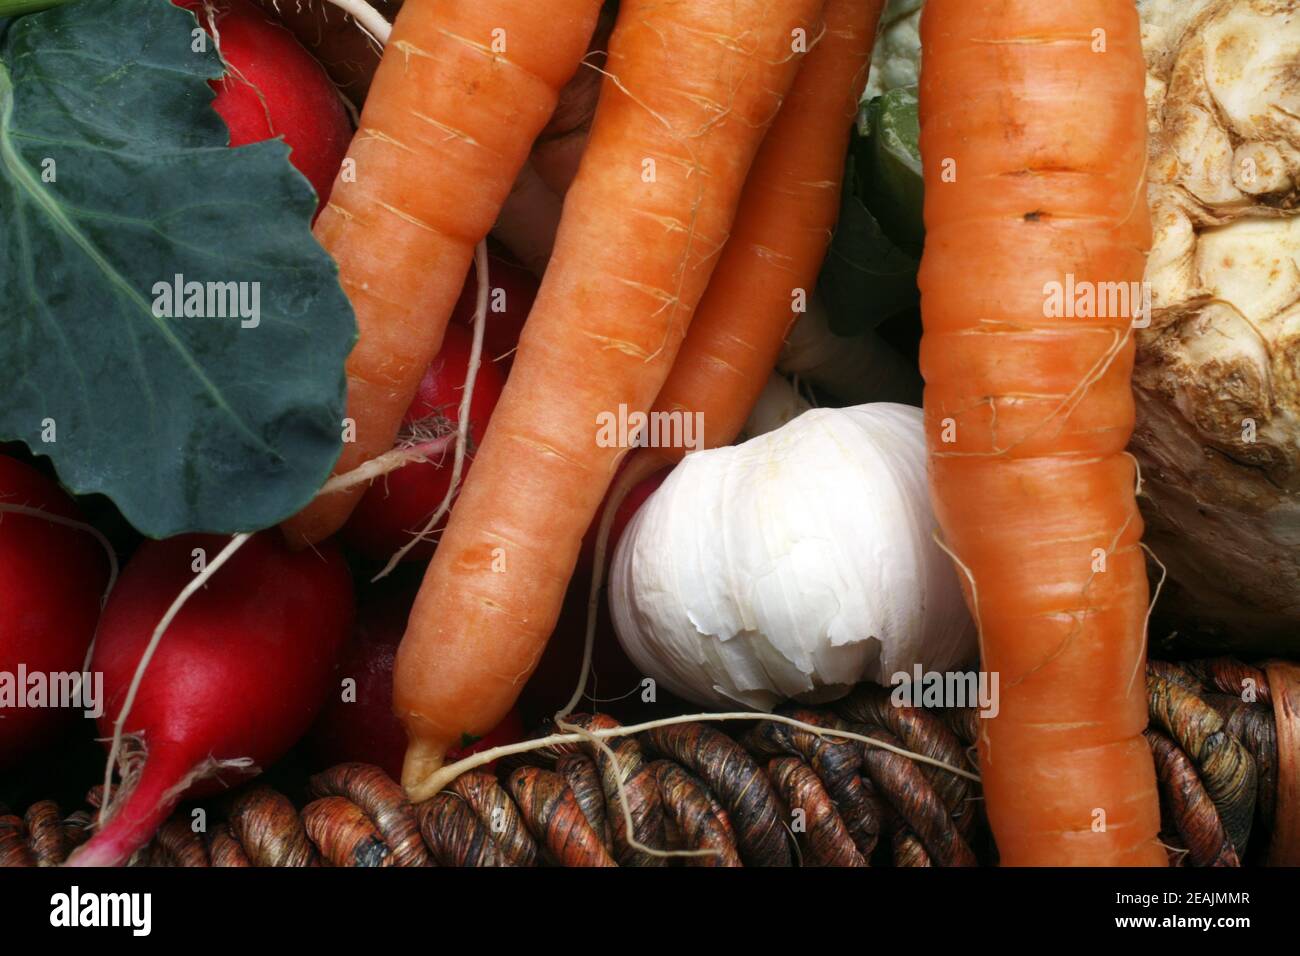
x=115, y=176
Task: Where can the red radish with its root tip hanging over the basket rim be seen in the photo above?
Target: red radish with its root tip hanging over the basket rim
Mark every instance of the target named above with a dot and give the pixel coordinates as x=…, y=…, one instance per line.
x=240, y=674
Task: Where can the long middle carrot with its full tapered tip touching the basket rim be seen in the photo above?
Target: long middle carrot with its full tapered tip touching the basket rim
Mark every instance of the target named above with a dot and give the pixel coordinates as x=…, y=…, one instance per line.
x=691, y=92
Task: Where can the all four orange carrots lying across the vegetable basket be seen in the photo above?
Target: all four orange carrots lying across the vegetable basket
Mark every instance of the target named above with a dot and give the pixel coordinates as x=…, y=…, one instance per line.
x=690, y=239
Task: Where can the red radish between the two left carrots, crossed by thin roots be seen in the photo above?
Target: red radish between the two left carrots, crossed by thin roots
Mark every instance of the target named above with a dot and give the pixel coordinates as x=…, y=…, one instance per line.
x=398, y=505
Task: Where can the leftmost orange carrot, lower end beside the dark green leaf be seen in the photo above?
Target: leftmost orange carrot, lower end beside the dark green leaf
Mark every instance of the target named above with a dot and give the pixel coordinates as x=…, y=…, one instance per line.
x=462, y=93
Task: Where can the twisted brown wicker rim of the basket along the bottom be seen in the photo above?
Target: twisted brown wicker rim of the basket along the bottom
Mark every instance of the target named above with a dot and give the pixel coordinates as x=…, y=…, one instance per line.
x=773, y=797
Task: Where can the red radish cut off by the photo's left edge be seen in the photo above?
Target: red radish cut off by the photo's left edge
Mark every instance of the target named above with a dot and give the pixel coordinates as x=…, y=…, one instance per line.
x=53, y=579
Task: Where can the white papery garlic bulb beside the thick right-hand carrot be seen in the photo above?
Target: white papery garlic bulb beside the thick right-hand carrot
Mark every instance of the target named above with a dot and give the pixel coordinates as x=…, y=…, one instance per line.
x=792, y=566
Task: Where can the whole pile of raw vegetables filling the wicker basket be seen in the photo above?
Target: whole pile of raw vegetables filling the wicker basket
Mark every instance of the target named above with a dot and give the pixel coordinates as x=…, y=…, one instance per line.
x=354, y=345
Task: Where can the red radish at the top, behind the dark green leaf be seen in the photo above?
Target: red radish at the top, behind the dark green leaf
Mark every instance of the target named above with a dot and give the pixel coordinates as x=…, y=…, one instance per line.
x=274, y=88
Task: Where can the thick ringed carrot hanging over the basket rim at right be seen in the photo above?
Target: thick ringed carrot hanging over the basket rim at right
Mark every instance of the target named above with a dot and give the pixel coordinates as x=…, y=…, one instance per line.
x=1034, y=153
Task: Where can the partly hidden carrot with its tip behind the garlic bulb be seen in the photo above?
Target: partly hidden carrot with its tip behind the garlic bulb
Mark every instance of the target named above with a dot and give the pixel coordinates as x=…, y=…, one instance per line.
x=783, y=230
